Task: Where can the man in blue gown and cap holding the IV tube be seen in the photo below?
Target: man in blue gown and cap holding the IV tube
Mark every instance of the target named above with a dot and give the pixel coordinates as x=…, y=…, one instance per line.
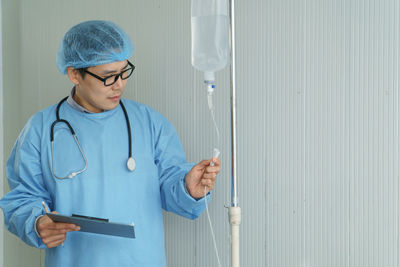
x=74, y=157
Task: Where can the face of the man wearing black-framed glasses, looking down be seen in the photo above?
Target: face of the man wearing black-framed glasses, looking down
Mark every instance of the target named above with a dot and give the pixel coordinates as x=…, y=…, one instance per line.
x=93, y=95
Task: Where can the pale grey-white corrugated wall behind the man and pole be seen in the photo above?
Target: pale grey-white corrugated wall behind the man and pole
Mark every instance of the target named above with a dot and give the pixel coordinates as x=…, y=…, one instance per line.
x=318, y=119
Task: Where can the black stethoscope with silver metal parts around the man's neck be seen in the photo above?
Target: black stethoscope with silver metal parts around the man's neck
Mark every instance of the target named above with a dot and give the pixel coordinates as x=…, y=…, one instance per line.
x=131, y=163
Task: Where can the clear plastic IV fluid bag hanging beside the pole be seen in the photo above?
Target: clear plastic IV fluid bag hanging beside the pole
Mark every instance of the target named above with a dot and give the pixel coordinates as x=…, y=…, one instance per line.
x=209, y=35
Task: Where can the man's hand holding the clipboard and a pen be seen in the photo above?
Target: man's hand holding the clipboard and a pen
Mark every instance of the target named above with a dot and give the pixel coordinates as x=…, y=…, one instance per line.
x=53, y=233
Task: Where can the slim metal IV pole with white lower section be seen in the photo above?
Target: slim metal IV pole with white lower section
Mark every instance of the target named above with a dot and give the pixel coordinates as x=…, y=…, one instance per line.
x=234, y=209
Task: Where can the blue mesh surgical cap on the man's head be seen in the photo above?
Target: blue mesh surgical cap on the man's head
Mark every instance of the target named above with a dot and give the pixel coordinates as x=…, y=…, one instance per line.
x=93, y=43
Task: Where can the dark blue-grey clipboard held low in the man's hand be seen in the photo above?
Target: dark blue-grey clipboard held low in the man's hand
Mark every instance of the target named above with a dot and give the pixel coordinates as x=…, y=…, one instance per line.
x=96, y=225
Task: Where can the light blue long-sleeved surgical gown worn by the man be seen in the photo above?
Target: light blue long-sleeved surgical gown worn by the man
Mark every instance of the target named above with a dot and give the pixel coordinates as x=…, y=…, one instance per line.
x=107, y=189
